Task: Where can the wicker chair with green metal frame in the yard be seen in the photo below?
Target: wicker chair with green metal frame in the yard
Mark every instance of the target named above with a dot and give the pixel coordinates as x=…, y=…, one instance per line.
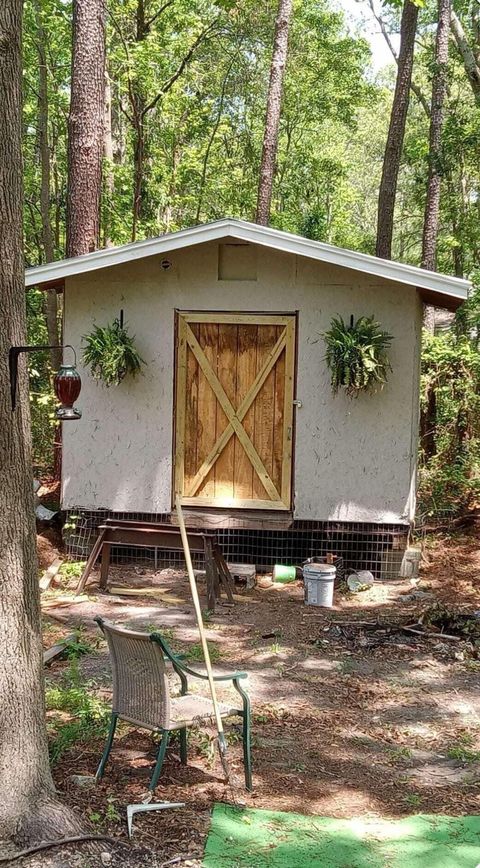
x=141, y=694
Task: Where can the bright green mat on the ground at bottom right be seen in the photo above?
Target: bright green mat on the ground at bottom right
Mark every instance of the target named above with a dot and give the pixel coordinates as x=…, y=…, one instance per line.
x=273, y=839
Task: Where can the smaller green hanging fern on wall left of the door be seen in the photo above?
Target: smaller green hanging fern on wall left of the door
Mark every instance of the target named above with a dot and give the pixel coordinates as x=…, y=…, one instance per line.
x=111, y=354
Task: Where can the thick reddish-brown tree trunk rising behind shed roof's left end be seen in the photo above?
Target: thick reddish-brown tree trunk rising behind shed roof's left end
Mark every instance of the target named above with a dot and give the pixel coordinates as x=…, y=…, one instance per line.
x=85, y=127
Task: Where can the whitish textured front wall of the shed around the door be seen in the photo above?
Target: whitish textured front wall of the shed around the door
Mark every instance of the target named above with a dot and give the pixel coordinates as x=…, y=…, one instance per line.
x=354, y=459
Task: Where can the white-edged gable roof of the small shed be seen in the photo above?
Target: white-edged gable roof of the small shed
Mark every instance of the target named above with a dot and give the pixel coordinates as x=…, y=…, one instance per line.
x=439, y=289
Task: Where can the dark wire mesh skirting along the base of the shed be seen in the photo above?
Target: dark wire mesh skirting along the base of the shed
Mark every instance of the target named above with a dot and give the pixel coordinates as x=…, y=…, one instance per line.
x=362, y=546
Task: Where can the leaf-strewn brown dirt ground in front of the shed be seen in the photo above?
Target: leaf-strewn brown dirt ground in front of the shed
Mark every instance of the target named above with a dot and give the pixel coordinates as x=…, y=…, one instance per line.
x=347, y=720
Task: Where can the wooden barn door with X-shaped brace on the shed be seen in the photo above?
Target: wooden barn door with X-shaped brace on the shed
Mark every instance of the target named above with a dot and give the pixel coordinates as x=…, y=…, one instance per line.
x=234, y=410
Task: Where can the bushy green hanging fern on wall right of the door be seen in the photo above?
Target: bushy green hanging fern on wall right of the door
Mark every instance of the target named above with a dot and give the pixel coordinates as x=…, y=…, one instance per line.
x=357, y=355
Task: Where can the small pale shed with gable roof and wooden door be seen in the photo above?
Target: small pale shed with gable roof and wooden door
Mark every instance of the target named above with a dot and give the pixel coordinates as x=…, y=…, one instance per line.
x=234, y=410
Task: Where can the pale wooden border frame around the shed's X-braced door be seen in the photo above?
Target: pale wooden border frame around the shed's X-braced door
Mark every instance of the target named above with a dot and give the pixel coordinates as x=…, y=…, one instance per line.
x=290, y=320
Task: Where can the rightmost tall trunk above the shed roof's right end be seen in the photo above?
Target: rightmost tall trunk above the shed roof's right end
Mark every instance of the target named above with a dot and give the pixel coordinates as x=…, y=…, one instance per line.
x=439, y=90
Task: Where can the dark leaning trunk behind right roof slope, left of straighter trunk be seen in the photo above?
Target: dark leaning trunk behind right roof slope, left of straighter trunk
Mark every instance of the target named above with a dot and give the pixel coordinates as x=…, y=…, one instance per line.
x=396, y=132
